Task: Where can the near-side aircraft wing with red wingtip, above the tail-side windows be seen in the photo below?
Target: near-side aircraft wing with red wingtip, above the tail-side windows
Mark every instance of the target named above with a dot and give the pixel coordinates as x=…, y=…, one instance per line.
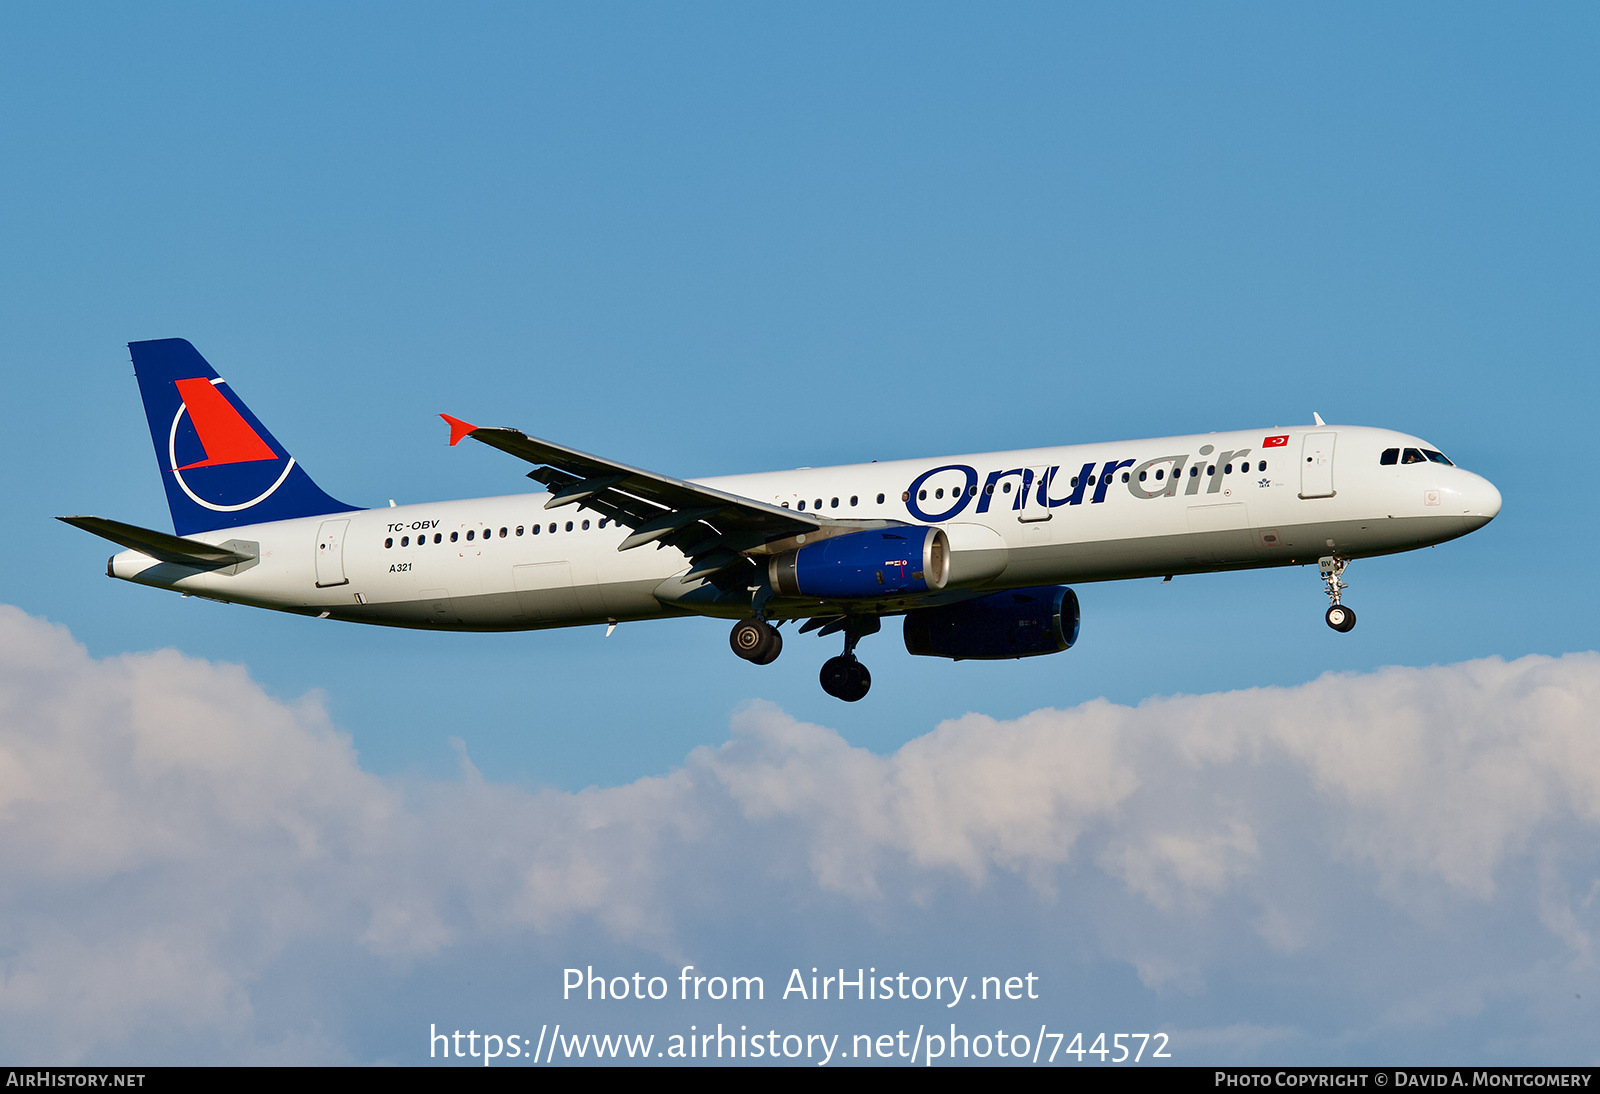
x=714, y=529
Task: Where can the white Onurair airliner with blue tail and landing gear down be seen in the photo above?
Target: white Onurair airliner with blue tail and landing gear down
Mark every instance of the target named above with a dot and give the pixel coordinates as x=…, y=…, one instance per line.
x=975, y=553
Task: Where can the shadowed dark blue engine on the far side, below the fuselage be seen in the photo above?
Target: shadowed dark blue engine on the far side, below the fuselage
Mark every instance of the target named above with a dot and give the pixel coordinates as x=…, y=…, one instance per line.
x=1018, y=623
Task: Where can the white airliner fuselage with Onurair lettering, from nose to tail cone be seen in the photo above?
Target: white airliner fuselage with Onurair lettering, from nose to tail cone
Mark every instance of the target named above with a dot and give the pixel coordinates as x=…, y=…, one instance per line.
x=1166, y=506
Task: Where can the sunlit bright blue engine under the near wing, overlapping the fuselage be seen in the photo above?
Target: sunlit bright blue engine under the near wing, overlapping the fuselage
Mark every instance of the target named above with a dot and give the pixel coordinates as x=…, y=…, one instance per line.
x=881, y=562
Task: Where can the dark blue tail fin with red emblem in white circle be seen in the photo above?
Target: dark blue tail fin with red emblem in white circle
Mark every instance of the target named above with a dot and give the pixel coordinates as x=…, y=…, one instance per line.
x=220, y=465
